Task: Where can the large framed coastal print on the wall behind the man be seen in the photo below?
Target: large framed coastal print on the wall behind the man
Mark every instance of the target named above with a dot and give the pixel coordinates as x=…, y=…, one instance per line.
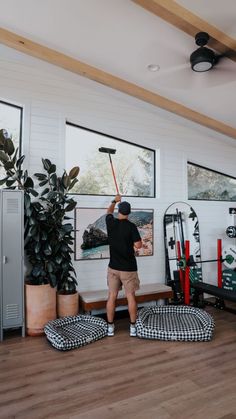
x=91, y=241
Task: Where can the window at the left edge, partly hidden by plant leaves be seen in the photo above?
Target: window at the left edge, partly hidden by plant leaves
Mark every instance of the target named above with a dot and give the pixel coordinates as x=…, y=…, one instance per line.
x=11, y=120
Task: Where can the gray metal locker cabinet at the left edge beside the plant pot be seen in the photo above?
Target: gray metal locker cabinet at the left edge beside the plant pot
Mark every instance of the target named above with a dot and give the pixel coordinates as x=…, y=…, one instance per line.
x=11, y=260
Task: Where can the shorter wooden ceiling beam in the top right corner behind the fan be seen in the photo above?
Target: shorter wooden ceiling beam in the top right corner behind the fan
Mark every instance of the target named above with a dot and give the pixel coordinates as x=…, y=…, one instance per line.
x=183, y=19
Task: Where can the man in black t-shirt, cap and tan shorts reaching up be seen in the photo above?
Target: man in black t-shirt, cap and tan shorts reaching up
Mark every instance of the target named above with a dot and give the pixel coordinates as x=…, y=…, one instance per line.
x=124, y=239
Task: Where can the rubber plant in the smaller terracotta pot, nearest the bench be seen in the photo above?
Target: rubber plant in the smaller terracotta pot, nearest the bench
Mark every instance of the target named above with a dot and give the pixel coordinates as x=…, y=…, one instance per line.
x=58, y=204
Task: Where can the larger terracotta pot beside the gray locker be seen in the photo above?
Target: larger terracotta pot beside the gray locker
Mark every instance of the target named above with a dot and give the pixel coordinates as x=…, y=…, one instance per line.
x=40, y=307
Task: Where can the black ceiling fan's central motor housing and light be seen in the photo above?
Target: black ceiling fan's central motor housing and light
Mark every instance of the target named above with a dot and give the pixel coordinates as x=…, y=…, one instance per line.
x=203, y=58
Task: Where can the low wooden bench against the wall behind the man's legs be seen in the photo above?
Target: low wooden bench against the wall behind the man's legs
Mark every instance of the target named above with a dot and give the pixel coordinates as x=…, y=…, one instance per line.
x=95, y=300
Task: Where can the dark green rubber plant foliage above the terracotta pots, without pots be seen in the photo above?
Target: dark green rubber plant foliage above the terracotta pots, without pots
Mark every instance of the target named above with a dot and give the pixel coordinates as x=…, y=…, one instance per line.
x=48, y=232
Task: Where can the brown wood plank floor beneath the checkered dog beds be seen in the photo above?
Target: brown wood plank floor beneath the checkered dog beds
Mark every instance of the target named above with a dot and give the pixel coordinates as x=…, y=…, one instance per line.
x=121, y=377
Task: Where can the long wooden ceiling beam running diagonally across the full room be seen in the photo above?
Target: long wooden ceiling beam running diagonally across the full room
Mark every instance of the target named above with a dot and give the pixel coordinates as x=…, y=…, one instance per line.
x=59, y=59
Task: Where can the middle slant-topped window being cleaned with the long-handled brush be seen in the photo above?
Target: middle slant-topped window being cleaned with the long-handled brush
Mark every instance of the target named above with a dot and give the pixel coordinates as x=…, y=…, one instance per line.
x=134, y=165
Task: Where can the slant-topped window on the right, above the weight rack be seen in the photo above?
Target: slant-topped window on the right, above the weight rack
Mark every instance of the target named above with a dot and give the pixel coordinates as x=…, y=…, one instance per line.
x=209, y=185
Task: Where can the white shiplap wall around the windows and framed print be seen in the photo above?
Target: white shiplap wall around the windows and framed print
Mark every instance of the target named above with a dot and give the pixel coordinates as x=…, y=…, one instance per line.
x=51, y=96
